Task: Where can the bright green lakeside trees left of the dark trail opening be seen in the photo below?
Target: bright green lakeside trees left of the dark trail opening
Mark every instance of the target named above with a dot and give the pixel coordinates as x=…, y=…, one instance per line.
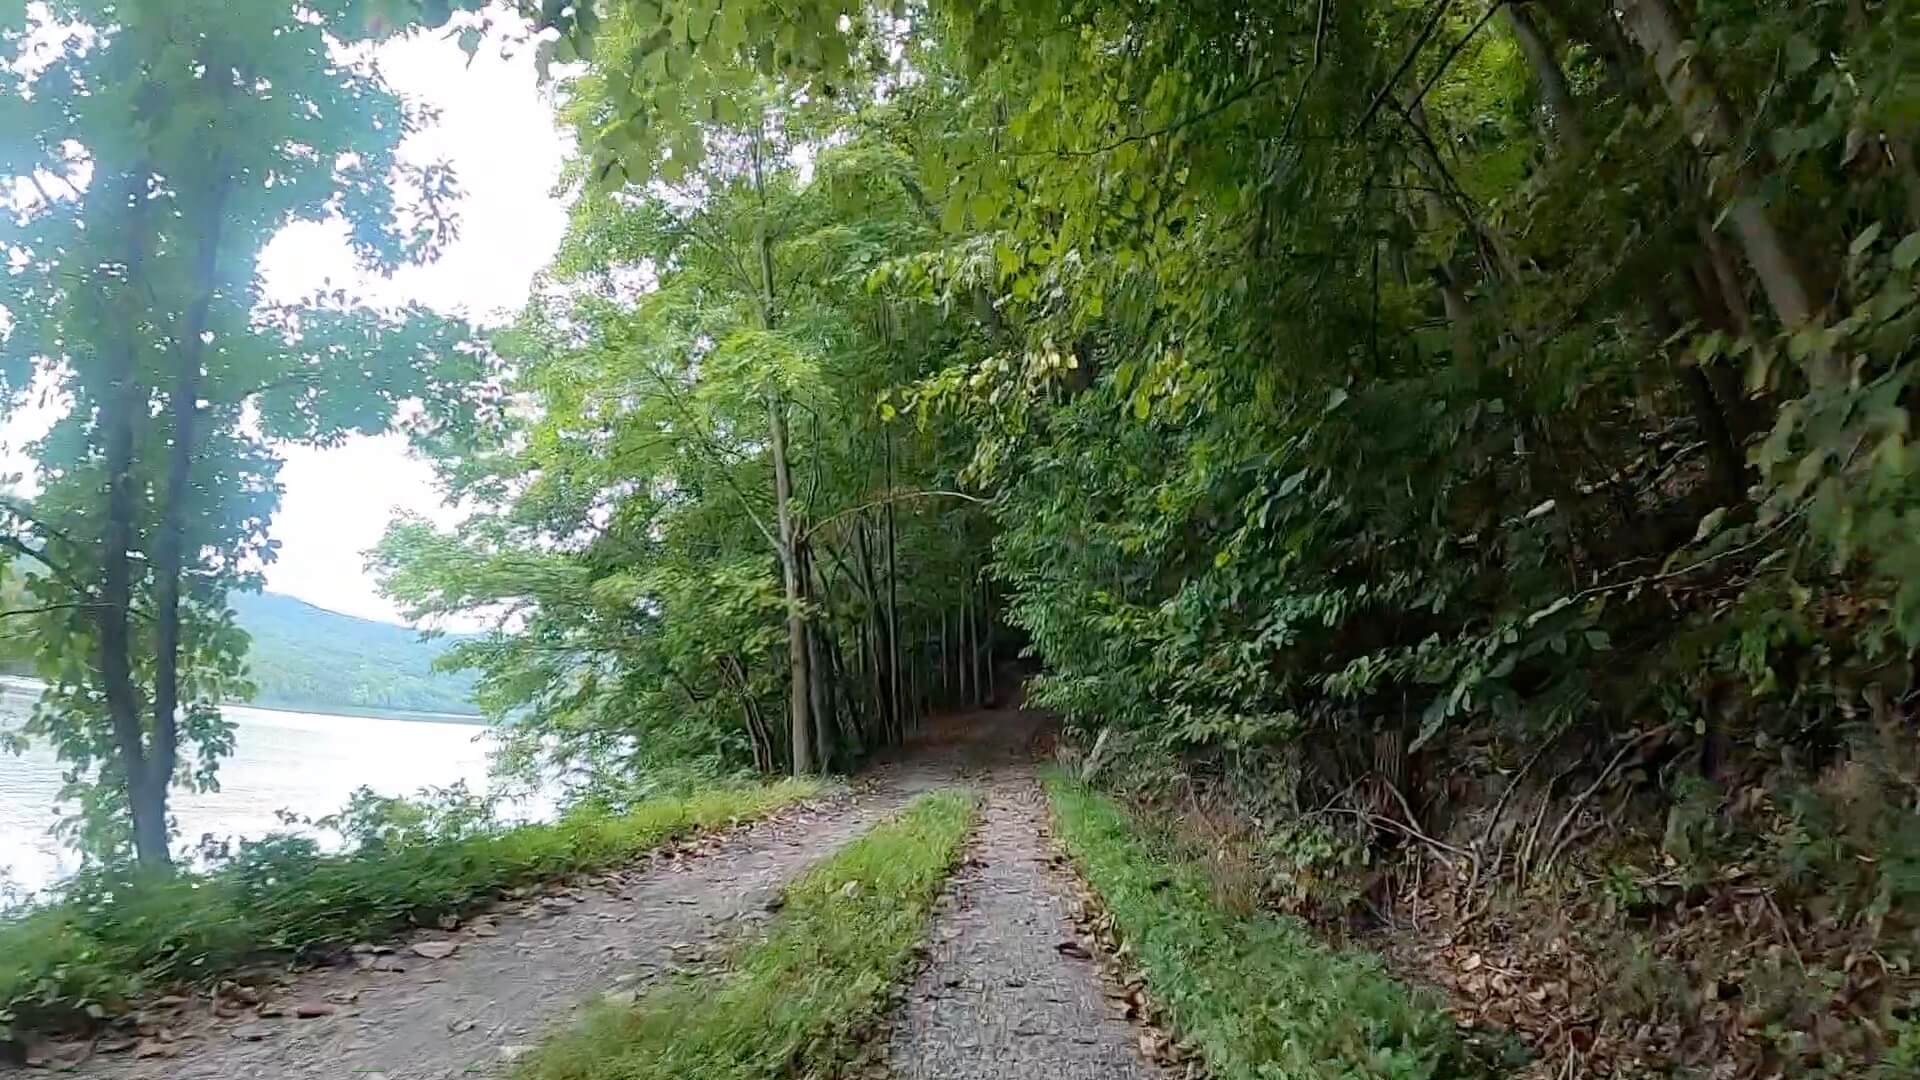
x=715, y=516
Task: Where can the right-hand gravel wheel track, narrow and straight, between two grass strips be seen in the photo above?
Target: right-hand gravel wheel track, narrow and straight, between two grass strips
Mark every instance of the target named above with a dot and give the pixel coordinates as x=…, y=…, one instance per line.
x=1009, y=993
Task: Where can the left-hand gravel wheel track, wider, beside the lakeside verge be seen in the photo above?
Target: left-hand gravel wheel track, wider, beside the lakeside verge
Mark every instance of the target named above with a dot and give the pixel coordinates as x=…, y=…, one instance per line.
x=512, y=977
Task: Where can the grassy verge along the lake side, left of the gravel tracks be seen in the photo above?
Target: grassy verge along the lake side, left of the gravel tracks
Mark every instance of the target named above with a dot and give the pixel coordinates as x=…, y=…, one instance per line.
x=114, y=937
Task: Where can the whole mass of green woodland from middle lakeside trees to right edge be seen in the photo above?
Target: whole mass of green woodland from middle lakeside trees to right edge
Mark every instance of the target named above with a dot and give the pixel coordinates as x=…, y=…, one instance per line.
x=1443, y=428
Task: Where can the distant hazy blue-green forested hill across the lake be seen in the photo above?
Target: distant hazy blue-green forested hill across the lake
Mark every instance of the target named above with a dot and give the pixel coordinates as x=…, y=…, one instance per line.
x=310, y=658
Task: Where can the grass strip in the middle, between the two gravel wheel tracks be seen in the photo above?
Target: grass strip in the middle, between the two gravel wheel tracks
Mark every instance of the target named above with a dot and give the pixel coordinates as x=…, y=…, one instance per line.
x=796, y=1002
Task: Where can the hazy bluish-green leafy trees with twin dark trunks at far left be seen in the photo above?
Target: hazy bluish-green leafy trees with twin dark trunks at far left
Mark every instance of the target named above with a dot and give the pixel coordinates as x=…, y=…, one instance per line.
x=149, y=155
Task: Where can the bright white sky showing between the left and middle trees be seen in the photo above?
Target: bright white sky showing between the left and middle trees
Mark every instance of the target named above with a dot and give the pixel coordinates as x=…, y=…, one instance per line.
x=496, y=128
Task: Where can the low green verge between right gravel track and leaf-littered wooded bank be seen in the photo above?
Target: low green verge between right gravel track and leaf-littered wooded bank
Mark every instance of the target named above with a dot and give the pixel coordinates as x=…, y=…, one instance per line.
x=1259, y=996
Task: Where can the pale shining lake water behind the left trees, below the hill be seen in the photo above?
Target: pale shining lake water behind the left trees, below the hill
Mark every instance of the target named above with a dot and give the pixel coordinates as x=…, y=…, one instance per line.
x=300, y=762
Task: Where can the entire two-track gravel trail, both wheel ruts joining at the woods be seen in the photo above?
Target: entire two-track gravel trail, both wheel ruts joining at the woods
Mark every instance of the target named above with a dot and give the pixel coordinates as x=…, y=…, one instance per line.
x=997, y=1000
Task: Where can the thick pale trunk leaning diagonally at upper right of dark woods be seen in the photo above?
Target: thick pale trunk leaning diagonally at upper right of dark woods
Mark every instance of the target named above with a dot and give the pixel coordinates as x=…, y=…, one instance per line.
x=1691, y=87
